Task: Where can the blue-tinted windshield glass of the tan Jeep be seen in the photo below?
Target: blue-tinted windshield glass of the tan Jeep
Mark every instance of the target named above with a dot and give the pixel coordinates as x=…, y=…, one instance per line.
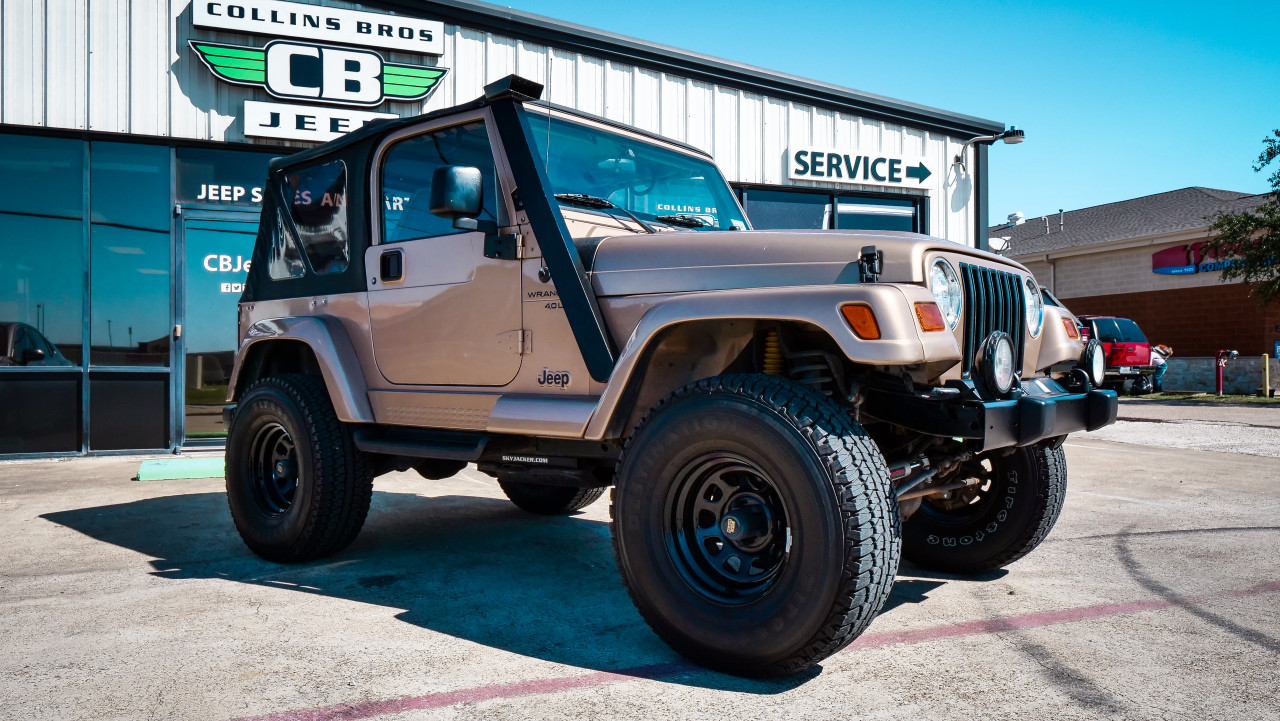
x=657, y=185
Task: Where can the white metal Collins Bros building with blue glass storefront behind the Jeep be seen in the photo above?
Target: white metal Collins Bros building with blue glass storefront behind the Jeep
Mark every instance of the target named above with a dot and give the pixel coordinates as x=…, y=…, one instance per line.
x=135, y=138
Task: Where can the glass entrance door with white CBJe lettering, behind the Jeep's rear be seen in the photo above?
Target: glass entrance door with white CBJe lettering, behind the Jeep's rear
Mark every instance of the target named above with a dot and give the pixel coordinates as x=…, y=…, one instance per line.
x=218, y=249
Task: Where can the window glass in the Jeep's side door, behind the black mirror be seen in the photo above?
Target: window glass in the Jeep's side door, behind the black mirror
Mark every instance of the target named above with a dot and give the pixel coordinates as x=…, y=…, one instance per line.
x=408, y=181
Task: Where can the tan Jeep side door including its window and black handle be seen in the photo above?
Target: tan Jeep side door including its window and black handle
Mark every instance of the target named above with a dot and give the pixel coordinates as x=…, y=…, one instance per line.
x=441, y=313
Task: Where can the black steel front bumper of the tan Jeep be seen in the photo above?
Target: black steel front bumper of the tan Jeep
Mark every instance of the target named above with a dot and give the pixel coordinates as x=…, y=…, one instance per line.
x=1041, y=410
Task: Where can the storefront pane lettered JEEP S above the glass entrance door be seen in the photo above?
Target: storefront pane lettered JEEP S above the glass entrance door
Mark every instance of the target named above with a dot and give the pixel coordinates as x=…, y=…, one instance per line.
x=221, y=177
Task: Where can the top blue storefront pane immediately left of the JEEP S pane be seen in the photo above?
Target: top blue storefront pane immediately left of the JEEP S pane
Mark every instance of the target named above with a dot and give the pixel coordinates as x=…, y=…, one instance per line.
x=130, y=185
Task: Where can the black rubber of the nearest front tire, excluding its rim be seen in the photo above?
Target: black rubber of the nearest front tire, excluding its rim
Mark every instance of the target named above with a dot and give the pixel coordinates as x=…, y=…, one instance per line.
x=844, y=527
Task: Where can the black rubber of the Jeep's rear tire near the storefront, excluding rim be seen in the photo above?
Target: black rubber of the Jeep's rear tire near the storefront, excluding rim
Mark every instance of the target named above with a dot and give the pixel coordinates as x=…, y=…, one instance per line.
x=335, y=480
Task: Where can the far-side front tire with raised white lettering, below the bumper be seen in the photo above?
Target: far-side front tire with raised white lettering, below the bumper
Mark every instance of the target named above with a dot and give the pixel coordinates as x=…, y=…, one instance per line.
x=1026, y=500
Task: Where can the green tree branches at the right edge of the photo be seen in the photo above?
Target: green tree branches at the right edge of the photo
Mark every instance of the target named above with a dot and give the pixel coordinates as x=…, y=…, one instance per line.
x=1251, y=239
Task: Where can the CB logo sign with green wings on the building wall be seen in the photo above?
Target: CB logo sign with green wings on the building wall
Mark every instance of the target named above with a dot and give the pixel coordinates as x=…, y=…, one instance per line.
x=319, y=72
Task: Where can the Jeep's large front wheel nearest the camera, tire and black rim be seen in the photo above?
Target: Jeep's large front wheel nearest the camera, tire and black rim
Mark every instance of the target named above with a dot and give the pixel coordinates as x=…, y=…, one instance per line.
x=753, y=526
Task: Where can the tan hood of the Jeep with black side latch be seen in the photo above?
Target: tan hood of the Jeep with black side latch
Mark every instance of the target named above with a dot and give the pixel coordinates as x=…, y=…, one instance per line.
x=685, y=262
